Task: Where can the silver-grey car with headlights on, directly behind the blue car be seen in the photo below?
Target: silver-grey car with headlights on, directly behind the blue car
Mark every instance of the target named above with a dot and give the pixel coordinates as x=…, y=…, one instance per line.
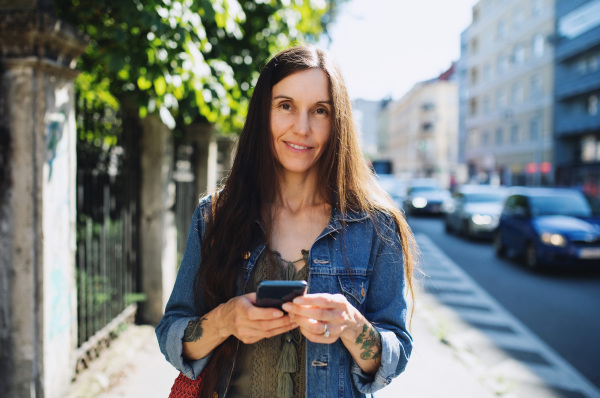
x=474, y=210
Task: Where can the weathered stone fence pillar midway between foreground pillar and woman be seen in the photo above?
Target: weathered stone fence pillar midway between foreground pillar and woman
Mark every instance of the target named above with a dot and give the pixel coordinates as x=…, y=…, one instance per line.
x=158, y=235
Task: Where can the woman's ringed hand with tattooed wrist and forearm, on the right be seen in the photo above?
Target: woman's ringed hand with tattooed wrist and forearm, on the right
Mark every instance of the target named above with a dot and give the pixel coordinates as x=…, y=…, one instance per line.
x=325, y=318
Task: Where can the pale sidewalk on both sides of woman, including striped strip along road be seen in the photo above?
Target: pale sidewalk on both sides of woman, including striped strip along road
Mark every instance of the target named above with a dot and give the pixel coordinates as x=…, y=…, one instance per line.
x=465, y=346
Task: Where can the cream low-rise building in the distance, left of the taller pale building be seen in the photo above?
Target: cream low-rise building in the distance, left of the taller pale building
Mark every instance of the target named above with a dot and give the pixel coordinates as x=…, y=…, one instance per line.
x=422, y=130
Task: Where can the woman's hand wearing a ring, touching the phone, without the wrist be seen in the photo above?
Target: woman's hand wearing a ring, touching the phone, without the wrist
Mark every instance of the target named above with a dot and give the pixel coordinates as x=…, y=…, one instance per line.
x=323, y=318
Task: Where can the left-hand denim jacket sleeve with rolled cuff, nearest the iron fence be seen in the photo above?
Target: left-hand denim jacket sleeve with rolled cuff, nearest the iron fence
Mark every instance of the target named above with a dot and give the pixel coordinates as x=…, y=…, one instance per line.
x=180, y=308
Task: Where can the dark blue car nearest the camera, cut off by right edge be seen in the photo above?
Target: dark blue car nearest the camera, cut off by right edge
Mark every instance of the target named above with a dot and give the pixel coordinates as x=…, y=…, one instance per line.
x=548, y=226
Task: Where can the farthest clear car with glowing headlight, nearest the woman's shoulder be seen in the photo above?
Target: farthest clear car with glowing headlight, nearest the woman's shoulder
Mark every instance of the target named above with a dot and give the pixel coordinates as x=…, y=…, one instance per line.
x=424, y=196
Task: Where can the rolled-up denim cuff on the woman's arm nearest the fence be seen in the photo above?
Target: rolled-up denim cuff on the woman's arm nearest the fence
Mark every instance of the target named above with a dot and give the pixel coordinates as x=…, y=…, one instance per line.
x=174, y=348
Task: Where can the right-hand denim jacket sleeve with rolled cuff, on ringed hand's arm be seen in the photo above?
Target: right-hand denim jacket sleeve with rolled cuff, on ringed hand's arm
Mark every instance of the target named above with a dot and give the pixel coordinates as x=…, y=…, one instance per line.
x=386, y=309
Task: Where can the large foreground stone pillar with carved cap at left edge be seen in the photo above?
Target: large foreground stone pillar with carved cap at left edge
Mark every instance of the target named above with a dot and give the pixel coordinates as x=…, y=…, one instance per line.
x=38, y=318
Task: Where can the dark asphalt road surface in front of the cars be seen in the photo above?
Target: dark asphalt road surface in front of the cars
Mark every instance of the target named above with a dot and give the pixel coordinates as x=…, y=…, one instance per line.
x=562, y=307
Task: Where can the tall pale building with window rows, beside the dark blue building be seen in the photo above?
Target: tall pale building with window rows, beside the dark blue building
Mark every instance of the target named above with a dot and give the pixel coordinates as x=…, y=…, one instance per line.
x=507, y=85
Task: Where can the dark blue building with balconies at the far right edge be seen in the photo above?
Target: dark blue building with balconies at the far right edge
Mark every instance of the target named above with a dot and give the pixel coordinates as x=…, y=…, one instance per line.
x=577, y=91
